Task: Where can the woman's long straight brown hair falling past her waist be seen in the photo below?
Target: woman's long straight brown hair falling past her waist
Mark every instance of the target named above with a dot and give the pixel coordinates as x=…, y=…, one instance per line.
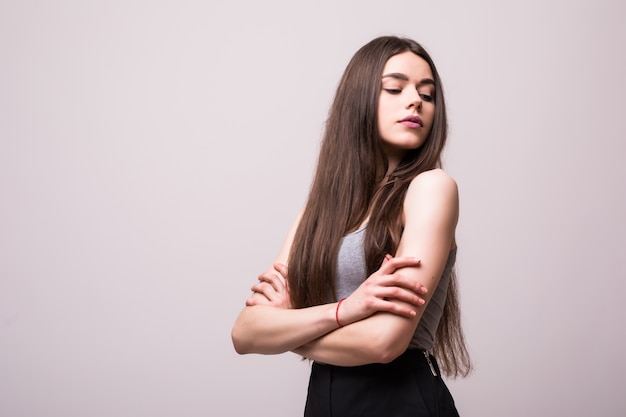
x=350, y=184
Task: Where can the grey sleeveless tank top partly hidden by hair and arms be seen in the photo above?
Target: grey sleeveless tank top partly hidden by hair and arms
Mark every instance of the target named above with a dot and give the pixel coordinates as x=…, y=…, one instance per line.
x=351, y=272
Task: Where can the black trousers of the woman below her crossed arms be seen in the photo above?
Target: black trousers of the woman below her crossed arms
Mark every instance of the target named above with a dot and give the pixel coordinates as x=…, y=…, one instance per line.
x=404, y=387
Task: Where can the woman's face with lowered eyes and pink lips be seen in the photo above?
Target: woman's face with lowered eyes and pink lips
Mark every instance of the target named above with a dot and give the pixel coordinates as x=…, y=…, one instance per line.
x=406, y=107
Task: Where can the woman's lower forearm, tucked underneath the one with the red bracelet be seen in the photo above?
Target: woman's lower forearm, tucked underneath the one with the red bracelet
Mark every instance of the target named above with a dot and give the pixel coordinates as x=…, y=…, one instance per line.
x=376, y=339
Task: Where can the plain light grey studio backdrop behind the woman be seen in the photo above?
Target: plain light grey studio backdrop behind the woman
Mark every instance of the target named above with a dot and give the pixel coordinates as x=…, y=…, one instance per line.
x=154, y=153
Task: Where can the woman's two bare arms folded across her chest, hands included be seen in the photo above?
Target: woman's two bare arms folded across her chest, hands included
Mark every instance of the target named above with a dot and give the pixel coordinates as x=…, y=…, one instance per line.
x=379, y=318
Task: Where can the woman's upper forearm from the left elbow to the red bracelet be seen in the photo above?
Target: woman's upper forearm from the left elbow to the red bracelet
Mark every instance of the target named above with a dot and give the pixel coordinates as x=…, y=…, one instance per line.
x=271, y=330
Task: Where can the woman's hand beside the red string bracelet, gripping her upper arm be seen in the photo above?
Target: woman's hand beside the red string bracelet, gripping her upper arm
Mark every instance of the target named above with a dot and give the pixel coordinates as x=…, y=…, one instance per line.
x=379, y=291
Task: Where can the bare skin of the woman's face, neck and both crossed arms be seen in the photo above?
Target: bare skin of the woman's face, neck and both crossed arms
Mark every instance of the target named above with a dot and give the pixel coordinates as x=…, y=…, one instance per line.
x=380, y=317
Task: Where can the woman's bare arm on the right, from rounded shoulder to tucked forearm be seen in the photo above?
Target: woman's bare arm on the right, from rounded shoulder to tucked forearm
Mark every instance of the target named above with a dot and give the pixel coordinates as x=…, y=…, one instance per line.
x=431, y=213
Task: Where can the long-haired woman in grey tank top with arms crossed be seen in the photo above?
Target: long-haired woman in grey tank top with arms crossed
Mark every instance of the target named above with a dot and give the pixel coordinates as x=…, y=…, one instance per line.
x=369, y=320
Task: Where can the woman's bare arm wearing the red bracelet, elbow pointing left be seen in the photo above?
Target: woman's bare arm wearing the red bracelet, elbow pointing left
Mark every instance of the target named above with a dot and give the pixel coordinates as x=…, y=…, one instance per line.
x=263, y=327
